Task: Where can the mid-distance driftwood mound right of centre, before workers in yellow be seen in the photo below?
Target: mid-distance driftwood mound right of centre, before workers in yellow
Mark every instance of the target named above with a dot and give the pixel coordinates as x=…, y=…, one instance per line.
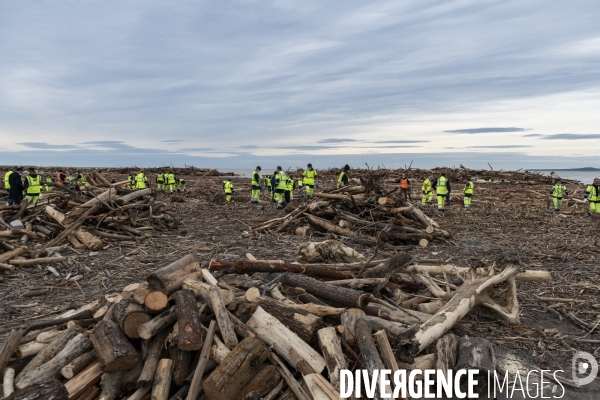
x=360, y=215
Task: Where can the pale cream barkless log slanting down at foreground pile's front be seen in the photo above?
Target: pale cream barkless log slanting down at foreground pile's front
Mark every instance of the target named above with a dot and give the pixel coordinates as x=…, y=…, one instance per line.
x=286, y=343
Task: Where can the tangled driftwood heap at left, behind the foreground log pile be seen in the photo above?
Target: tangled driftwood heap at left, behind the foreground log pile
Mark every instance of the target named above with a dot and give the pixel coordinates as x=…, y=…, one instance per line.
x=84, y=216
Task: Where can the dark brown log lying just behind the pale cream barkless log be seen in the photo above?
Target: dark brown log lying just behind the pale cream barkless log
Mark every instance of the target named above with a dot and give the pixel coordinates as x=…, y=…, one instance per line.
x=302, y=323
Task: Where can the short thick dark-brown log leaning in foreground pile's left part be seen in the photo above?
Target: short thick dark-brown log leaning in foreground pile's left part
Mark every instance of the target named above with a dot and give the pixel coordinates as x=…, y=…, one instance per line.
x=115, y=353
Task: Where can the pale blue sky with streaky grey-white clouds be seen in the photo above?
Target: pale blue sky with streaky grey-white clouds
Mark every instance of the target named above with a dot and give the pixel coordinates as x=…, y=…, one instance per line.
x=232, y=84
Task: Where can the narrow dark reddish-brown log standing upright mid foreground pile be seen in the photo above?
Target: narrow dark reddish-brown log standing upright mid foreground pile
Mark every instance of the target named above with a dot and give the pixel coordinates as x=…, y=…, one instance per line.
x=191, y=335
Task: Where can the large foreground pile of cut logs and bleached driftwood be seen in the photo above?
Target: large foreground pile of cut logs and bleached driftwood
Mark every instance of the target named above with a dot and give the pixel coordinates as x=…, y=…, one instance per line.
x=259, y=330
